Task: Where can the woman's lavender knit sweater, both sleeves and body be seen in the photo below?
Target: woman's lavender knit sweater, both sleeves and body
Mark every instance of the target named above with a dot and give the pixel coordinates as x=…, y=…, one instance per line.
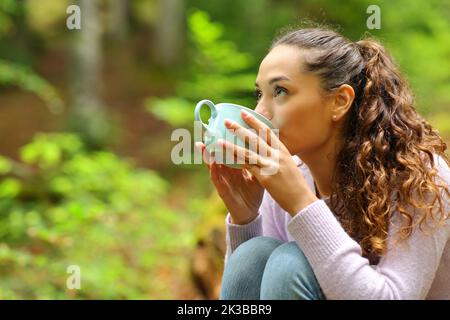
x=417, y=268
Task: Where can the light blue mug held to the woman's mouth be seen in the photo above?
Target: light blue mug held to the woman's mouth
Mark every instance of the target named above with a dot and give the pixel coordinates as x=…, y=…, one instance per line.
x=215, y=129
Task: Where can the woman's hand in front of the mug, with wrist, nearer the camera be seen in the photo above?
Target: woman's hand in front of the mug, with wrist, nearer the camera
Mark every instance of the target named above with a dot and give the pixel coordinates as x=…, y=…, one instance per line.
x=269, y=161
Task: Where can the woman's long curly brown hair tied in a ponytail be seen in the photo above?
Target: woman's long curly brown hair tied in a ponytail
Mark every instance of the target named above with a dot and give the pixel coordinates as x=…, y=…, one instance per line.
x=386, y=164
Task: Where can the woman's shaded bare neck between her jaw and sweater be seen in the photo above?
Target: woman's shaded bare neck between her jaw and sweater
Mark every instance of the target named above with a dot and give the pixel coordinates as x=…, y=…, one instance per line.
x=321, y=163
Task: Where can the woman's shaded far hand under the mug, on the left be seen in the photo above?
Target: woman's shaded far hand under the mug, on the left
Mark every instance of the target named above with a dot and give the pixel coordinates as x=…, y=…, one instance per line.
x=240, y=191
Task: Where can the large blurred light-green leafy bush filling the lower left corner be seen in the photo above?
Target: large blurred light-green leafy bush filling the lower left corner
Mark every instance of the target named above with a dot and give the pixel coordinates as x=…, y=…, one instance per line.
x=64, y=205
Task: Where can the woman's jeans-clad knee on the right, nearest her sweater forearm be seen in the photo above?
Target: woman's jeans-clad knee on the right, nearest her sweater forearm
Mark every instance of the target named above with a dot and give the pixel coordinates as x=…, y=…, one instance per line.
x=288, y=275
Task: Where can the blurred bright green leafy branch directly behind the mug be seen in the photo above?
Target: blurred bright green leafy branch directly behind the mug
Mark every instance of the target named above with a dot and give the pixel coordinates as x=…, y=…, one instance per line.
x=217, y=71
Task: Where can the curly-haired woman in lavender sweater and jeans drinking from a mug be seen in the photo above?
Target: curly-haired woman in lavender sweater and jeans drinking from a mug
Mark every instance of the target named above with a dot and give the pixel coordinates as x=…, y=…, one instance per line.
x=358, y=207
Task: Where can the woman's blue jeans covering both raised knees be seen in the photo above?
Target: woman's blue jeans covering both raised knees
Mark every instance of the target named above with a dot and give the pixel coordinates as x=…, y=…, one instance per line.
x=269, y=269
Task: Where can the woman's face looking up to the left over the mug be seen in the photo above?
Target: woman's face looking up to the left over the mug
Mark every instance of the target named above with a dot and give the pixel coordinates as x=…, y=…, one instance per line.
x=293, y=100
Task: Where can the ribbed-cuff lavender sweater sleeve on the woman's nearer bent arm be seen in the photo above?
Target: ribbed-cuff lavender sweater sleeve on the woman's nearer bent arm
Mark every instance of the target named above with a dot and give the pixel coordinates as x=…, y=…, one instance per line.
x=406, y=271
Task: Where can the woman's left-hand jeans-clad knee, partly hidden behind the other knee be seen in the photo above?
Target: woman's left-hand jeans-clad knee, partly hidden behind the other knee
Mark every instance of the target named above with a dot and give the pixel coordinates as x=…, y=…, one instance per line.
x=245, y=267
